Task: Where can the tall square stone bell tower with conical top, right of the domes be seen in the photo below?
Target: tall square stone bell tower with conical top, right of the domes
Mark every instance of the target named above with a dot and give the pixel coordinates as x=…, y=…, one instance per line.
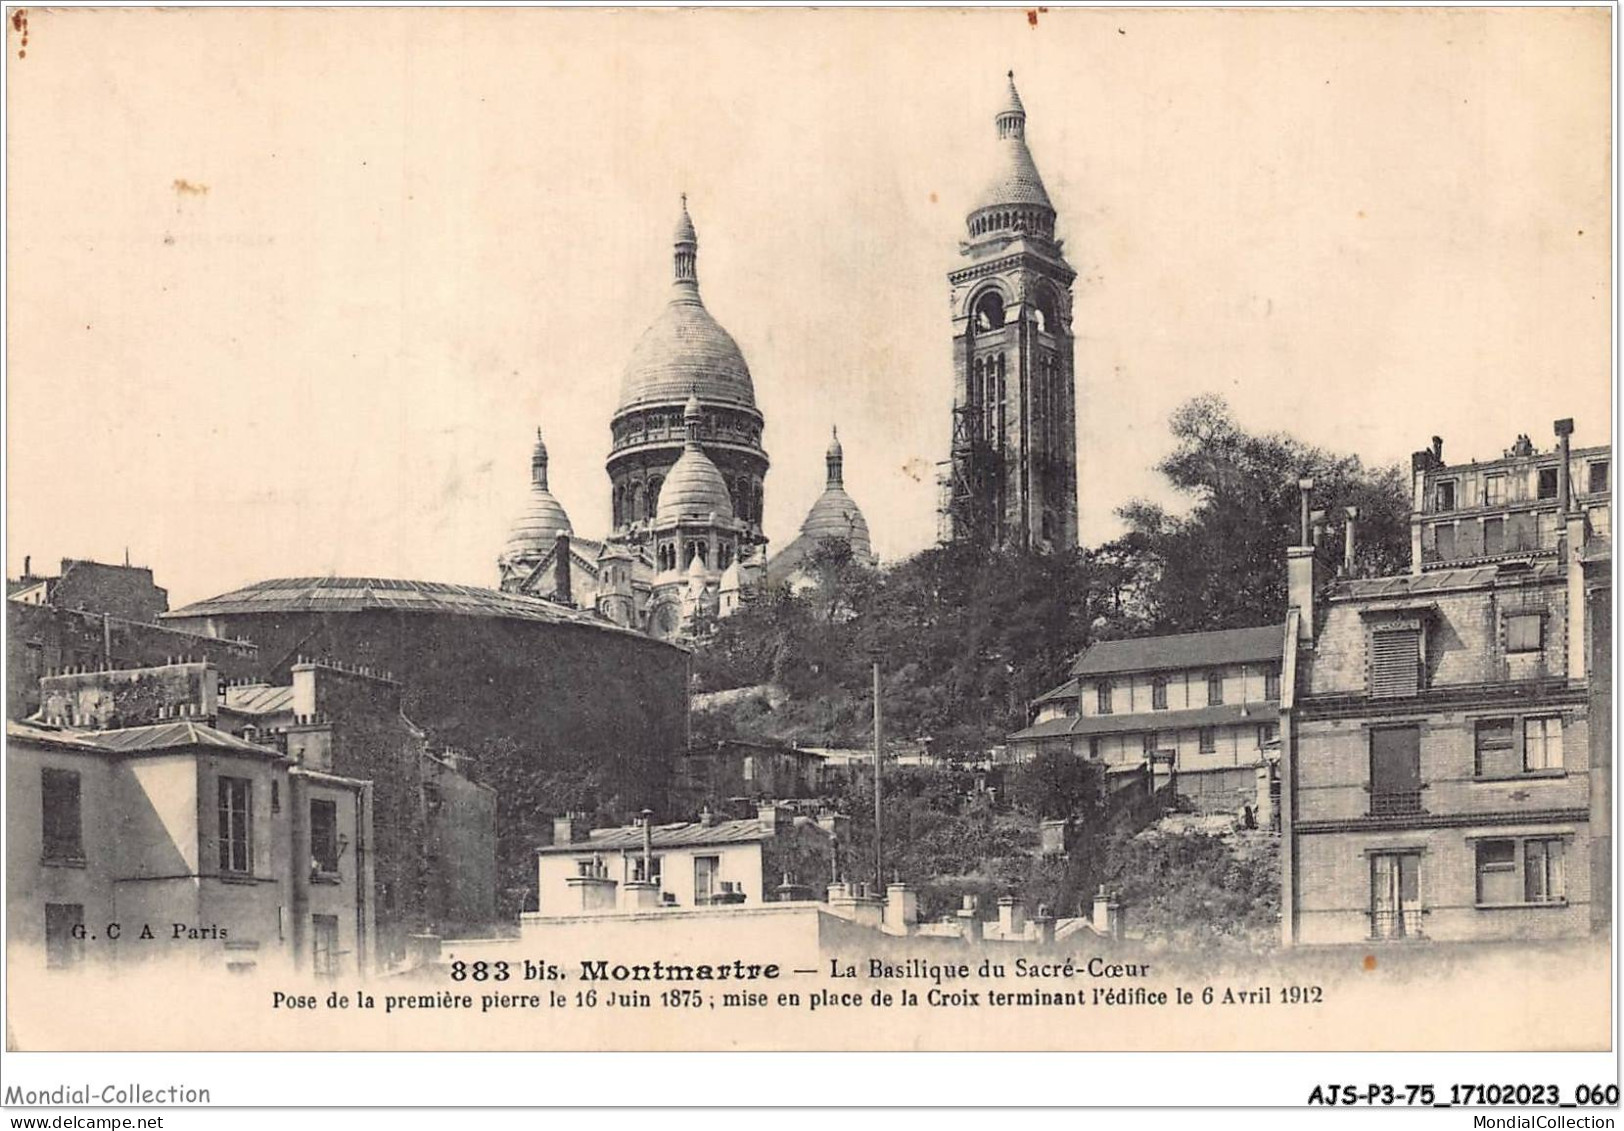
x=1013, y=472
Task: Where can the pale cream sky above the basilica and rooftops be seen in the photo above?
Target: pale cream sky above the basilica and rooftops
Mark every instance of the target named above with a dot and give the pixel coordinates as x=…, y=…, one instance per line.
x=292, y=290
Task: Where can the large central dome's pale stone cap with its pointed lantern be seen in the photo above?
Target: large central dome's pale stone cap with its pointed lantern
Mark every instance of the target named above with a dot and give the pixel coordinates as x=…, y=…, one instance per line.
x=686, y=350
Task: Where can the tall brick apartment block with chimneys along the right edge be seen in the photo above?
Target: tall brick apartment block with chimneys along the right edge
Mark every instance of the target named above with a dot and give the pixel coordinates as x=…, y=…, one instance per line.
x=1441, y=776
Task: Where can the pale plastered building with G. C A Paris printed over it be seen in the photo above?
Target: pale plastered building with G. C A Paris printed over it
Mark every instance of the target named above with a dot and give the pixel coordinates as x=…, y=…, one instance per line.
x=181, y=844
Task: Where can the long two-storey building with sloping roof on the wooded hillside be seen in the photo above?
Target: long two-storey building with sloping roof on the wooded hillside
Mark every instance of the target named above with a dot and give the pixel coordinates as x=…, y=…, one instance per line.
x=1201, y=708
